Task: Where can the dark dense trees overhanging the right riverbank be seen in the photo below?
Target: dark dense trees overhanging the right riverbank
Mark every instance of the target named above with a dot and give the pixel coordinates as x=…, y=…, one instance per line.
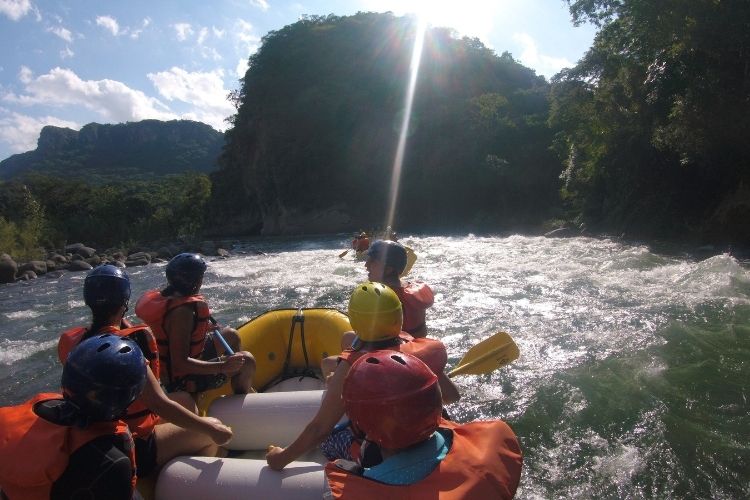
x=654, y=120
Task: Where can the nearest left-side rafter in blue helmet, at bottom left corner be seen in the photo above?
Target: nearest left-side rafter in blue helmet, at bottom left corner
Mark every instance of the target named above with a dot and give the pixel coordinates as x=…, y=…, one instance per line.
x=73, y=445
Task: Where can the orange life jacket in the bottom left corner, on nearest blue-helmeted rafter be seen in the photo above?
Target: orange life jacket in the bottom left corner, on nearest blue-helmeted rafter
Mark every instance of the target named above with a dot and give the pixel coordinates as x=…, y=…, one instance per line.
x=35, y=452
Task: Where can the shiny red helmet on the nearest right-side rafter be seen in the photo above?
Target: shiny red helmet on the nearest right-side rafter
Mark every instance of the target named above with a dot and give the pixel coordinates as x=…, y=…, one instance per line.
x=393, y=397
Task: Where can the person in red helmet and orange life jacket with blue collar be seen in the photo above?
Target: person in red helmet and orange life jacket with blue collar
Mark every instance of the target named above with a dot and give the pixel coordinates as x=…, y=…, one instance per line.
x=394, y=399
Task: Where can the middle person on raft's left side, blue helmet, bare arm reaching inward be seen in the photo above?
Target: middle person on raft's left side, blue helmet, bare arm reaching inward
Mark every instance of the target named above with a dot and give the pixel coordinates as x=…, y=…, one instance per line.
x=163, y=427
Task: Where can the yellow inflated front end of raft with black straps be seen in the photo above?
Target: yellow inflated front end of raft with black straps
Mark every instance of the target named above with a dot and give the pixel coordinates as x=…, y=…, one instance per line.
x=267, y=338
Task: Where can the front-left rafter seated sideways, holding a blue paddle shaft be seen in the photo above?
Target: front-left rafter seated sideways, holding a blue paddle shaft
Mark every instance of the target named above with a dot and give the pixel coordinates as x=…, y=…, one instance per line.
x=188, y=345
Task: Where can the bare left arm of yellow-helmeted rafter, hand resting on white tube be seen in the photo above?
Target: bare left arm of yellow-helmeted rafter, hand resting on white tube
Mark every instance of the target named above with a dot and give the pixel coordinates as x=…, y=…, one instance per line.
x=330, y=412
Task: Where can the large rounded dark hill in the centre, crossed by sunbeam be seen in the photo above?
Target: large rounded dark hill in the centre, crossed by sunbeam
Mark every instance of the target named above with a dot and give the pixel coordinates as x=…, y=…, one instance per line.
x=319, y=115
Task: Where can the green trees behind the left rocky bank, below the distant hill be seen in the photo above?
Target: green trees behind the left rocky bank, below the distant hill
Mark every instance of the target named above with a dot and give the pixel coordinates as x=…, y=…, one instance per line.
x=49, y=212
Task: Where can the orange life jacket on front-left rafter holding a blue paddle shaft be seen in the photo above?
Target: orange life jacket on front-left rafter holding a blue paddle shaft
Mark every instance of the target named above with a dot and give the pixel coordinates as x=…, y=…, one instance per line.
x=153, y=308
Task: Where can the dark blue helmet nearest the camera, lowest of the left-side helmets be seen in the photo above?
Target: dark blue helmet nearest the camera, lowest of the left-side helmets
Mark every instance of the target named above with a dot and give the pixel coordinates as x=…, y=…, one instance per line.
x=103, y=376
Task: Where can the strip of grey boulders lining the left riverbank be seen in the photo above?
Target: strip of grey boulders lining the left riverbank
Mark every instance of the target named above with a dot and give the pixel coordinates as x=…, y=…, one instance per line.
x=80, y=257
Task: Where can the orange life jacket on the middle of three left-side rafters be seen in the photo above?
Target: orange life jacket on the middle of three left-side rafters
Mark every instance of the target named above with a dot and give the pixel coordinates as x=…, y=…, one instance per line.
x=140, y=419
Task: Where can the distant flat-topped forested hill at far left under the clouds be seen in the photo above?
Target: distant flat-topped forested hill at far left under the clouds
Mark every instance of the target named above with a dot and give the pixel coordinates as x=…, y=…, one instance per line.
x=103, y=153
